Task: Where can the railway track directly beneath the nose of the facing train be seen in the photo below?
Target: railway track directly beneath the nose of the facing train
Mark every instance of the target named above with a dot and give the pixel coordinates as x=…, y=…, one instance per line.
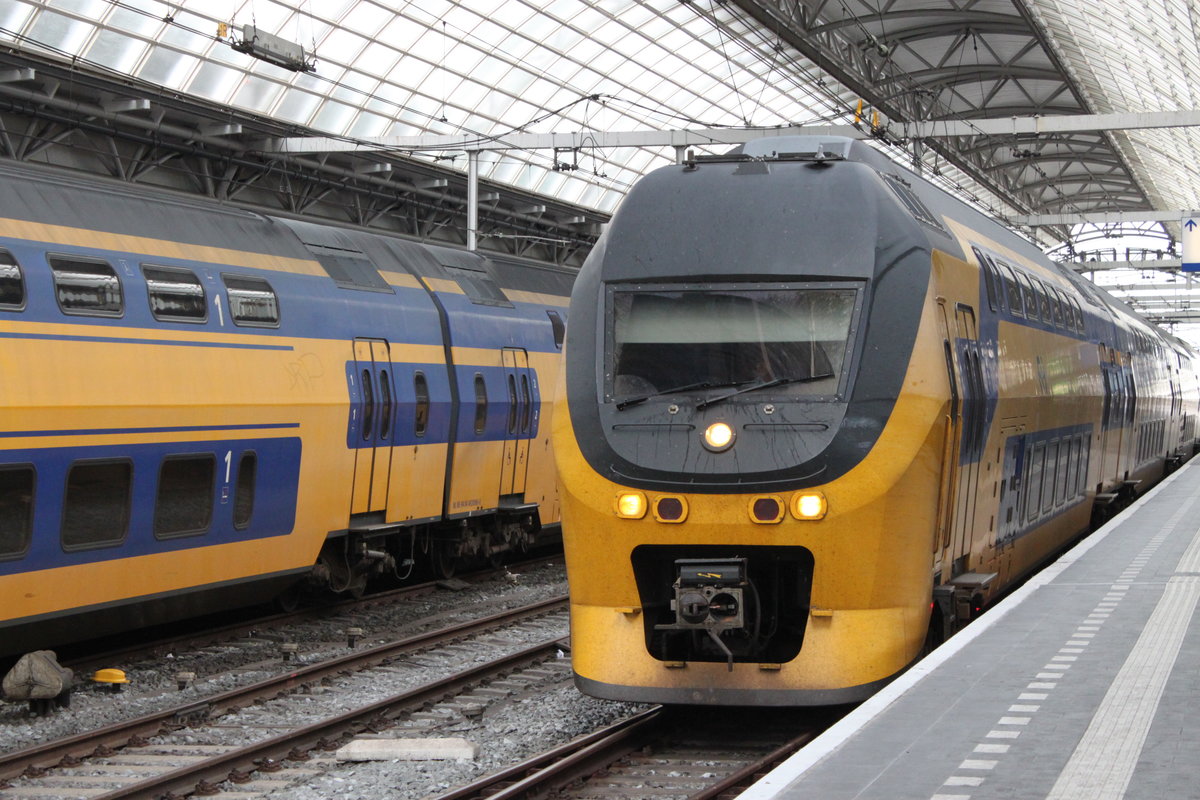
x=658, y=755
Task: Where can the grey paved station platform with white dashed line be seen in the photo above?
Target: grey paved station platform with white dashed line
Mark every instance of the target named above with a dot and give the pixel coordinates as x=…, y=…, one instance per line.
x=1082, y=685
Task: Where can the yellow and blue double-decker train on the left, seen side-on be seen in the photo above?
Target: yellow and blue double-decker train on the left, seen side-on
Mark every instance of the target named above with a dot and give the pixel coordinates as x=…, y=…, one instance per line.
x=203, y=406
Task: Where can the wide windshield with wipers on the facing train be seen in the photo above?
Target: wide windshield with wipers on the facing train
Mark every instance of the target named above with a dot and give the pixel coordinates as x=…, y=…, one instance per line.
x=682, y=340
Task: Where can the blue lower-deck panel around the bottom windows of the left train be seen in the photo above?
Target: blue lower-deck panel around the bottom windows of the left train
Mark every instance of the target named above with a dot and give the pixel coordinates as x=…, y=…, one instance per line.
x=278, y=478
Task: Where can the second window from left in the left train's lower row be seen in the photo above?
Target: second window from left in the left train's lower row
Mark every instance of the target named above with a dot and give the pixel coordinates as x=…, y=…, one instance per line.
x=97, y=506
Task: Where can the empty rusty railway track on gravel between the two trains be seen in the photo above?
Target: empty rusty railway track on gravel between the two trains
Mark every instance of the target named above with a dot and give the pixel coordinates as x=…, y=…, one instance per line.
x=194, y=748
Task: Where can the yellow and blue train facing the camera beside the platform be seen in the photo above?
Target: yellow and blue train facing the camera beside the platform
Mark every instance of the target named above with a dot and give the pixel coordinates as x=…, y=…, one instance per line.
x=815, y=414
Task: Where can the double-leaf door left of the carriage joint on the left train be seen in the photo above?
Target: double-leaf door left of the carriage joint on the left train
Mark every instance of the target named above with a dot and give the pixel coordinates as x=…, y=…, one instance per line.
x=373, y=425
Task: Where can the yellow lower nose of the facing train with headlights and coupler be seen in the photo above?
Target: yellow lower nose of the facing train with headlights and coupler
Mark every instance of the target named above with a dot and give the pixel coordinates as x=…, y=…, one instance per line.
x=796, y=597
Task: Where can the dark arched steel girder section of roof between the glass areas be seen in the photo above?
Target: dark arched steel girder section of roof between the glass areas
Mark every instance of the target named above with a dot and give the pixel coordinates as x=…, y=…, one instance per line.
x=884, y=51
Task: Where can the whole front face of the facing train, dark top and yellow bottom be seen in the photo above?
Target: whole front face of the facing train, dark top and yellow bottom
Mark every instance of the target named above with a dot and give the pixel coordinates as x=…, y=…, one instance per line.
x=769, y=585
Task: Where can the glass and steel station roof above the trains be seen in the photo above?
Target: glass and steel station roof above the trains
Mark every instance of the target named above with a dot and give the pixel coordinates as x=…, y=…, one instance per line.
x=490, y=68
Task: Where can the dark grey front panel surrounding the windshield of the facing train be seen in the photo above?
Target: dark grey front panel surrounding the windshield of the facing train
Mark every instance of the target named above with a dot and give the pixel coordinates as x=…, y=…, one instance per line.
x=781, y=249
